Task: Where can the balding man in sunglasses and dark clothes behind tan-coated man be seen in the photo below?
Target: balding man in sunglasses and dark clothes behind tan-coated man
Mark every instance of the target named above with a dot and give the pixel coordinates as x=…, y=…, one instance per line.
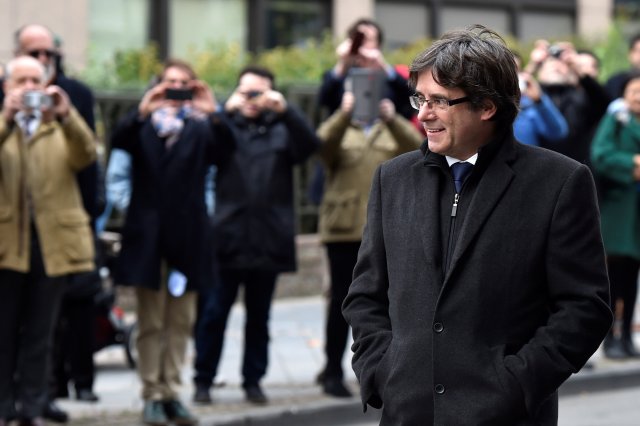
x=72, y=360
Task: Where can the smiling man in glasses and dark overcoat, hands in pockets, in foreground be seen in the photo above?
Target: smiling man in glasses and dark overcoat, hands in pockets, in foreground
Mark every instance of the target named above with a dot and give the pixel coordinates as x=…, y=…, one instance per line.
x=474, y=298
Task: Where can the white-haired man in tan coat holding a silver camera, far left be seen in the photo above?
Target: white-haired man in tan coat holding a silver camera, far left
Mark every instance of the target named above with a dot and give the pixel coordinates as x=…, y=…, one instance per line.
x=44, y=230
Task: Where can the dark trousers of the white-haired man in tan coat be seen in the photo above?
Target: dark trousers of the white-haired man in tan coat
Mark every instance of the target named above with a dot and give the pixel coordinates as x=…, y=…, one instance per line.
x=29, y=304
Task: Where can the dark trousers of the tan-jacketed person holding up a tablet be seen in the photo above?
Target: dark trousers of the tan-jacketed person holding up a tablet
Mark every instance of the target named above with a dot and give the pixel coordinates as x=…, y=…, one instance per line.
x=342, y=260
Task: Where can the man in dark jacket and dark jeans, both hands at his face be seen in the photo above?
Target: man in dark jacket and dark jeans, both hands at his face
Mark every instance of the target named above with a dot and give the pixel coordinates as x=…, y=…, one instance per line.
x=253, y=223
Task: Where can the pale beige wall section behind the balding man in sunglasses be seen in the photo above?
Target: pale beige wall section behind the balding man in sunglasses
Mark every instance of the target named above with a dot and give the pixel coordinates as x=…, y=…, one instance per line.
x=67, y=18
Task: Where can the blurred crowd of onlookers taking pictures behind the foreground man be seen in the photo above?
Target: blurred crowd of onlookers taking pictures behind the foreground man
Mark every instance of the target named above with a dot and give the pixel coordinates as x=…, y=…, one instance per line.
x=206, y=190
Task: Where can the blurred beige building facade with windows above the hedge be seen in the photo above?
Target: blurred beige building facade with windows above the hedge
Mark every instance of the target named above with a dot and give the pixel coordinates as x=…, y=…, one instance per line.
x=93, y=30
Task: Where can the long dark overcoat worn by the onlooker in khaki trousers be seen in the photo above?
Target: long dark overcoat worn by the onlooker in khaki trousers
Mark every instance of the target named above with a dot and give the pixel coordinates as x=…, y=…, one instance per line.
x=167, y=217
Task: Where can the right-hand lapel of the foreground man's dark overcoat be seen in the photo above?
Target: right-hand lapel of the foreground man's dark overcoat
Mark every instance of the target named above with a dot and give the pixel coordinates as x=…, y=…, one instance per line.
x=492, y=185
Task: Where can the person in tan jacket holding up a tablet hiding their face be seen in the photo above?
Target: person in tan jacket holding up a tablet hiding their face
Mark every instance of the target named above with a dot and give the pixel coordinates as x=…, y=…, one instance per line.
x=350, y=153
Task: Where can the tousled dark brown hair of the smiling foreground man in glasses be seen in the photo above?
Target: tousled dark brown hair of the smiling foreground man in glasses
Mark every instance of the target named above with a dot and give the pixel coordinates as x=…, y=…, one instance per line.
x=477, y=61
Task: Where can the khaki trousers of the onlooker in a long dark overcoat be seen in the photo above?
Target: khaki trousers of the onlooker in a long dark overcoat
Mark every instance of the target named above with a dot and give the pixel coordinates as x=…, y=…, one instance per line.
x=165, y=324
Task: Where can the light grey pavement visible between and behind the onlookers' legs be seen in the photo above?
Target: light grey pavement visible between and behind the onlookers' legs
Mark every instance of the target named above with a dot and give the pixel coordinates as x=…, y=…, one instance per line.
x=296, y=356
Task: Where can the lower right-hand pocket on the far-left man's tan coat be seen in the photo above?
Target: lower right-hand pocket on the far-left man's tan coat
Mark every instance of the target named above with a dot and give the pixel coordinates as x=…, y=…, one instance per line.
x=75, y=238
